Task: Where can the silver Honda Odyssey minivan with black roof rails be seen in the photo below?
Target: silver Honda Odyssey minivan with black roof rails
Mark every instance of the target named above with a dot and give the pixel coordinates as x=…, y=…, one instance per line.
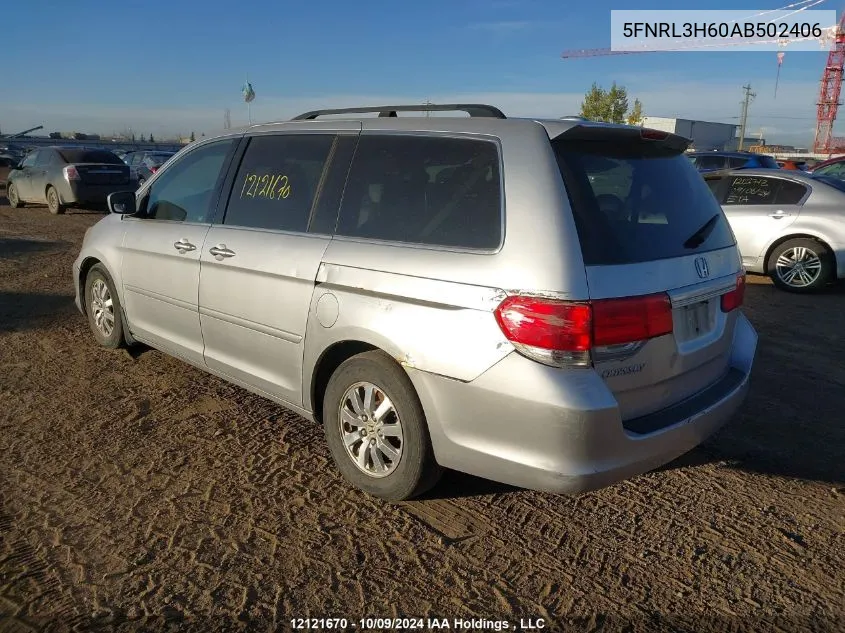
x=552, y=304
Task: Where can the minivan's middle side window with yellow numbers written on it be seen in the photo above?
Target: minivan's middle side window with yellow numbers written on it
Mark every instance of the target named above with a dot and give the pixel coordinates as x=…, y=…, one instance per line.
x=278, y=181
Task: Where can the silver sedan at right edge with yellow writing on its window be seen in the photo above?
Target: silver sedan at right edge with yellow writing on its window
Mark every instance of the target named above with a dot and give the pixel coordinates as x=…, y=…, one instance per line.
x=789, y=225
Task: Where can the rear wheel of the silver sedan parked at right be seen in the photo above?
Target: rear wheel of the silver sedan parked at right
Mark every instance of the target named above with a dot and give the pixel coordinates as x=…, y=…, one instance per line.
x=801, y=265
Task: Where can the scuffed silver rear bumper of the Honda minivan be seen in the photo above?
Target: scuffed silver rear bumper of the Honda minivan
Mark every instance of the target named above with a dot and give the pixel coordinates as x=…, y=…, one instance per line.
x=560, y=431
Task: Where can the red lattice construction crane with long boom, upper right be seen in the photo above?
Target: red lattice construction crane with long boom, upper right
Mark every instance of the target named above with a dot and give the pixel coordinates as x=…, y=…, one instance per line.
x=829, y=94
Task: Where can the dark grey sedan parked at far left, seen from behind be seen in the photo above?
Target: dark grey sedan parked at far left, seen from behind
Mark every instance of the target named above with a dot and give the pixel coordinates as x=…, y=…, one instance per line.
x=63, y=177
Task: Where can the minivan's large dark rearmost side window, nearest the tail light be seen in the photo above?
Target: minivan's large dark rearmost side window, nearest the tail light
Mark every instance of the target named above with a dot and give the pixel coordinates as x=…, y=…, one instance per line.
x=424, y=189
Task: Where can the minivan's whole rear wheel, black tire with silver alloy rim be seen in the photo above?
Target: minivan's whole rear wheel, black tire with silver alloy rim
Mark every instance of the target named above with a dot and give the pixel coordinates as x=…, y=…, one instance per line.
x=376, y=429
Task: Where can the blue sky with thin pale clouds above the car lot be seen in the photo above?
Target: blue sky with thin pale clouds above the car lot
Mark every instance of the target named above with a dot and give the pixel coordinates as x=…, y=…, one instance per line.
x=173, y=67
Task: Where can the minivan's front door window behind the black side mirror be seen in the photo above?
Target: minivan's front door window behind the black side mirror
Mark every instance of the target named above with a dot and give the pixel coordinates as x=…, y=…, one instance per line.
x=185, y=190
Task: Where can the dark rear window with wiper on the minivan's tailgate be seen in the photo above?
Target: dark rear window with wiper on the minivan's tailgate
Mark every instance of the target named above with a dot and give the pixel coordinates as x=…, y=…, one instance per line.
x=634, y=202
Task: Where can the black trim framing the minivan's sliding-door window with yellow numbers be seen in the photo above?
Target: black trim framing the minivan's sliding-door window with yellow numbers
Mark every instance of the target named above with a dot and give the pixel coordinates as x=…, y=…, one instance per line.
x=224, y=199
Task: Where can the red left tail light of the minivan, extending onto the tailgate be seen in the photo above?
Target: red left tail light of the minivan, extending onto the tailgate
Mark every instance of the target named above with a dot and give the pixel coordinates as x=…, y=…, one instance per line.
x=563, y=333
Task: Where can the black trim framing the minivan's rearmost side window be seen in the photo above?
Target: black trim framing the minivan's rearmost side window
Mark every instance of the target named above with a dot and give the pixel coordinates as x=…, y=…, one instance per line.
x=472, y=136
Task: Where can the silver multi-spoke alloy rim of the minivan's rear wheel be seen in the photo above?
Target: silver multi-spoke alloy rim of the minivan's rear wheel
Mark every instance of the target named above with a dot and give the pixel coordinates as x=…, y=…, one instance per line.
x=371, y=429
